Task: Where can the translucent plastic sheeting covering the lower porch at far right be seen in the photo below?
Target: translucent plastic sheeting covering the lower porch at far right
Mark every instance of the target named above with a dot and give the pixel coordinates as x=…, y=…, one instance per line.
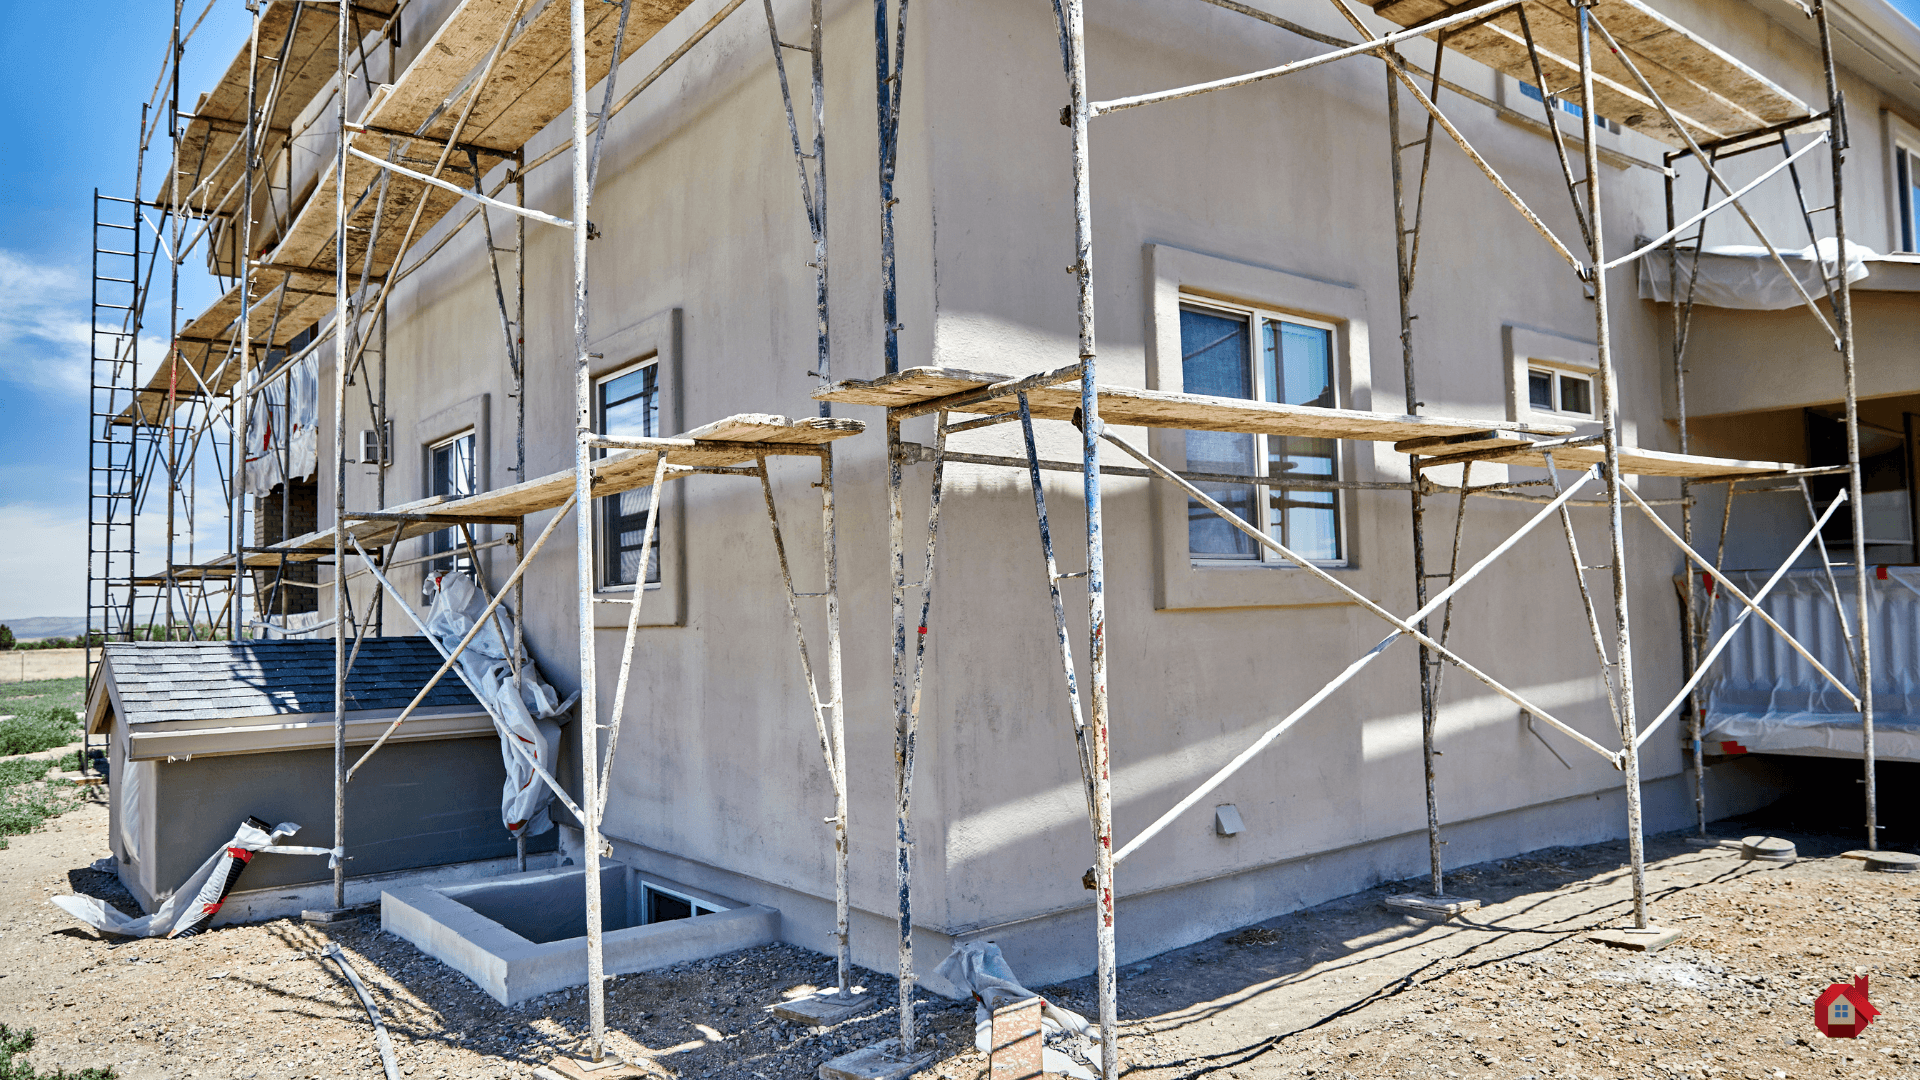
x=1769, y=700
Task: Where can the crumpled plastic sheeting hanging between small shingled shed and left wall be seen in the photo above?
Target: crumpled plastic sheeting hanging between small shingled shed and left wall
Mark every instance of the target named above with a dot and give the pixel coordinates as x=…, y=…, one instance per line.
x=529, y=714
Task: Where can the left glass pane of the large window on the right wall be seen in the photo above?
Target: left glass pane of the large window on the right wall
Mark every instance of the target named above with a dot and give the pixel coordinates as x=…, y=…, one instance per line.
x=1216, y=360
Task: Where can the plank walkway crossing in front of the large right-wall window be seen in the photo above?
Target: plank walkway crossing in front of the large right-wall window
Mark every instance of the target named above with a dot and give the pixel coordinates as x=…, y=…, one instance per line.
x=1193, y=412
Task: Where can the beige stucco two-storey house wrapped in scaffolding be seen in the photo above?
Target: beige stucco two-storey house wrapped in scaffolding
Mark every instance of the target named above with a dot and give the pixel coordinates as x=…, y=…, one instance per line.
x=719, y=389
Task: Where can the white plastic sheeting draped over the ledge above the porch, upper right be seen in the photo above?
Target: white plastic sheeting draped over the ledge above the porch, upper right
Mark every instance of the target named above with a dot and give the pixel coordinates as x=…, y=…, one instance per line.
x=1748, y=278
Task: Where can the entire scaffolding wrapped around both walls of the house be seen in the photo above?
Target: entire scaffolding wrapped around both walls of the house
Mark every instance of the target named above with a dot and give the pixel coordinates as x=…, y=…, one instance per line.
x=431, y=135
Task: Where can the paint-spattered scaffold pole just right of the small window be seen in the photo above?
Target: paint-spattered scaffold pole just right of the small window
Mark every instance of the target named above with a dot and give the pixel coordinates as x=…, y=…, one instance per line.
x=1610, y=405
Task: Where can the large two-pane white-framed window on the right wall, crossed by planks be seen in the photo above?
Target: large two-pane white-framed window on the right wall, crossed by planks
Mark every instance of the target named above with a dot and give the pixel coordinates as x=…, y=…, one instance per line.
x=1295, y=366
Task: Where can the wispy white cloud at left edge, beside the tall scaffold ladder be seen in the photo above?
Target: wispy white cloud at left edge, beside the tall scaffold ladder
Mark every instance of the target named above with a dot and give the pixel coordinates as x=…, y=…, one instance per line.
x=45, y=326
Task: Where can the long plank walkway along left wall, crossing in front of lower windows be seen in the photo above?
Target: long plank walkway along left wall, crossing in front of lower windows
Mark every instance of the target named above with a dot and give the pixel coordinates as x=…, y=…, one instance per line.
x=732, y=441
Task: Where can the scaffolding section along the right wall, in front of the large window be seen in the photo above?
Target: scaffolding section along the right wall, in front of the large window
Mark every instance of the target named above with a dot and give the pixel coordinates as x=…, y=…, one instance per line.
x=1666, y=84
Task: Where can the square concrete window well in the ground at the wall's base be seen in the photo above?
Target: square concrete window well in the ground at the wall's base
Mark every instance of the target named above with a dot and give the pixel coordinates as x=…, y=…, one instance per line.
x=519, y=937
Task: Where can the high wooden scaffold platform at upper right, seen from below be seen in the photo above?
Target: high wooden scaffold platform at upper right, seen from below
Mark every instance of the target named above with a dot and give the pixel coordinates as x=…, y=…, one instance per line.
x=1708, y=89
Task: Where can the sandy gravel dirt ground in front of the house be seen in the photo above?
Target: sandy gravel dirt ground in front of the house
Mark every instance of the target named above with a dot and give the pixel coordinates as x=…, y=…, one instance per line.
x=1345, y=991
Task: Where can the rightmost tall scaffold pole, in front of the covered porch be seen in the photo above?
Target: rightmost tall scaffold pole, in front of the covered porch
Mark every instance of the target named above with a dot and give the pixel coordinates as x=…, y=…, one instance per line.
x=1842, y=291
